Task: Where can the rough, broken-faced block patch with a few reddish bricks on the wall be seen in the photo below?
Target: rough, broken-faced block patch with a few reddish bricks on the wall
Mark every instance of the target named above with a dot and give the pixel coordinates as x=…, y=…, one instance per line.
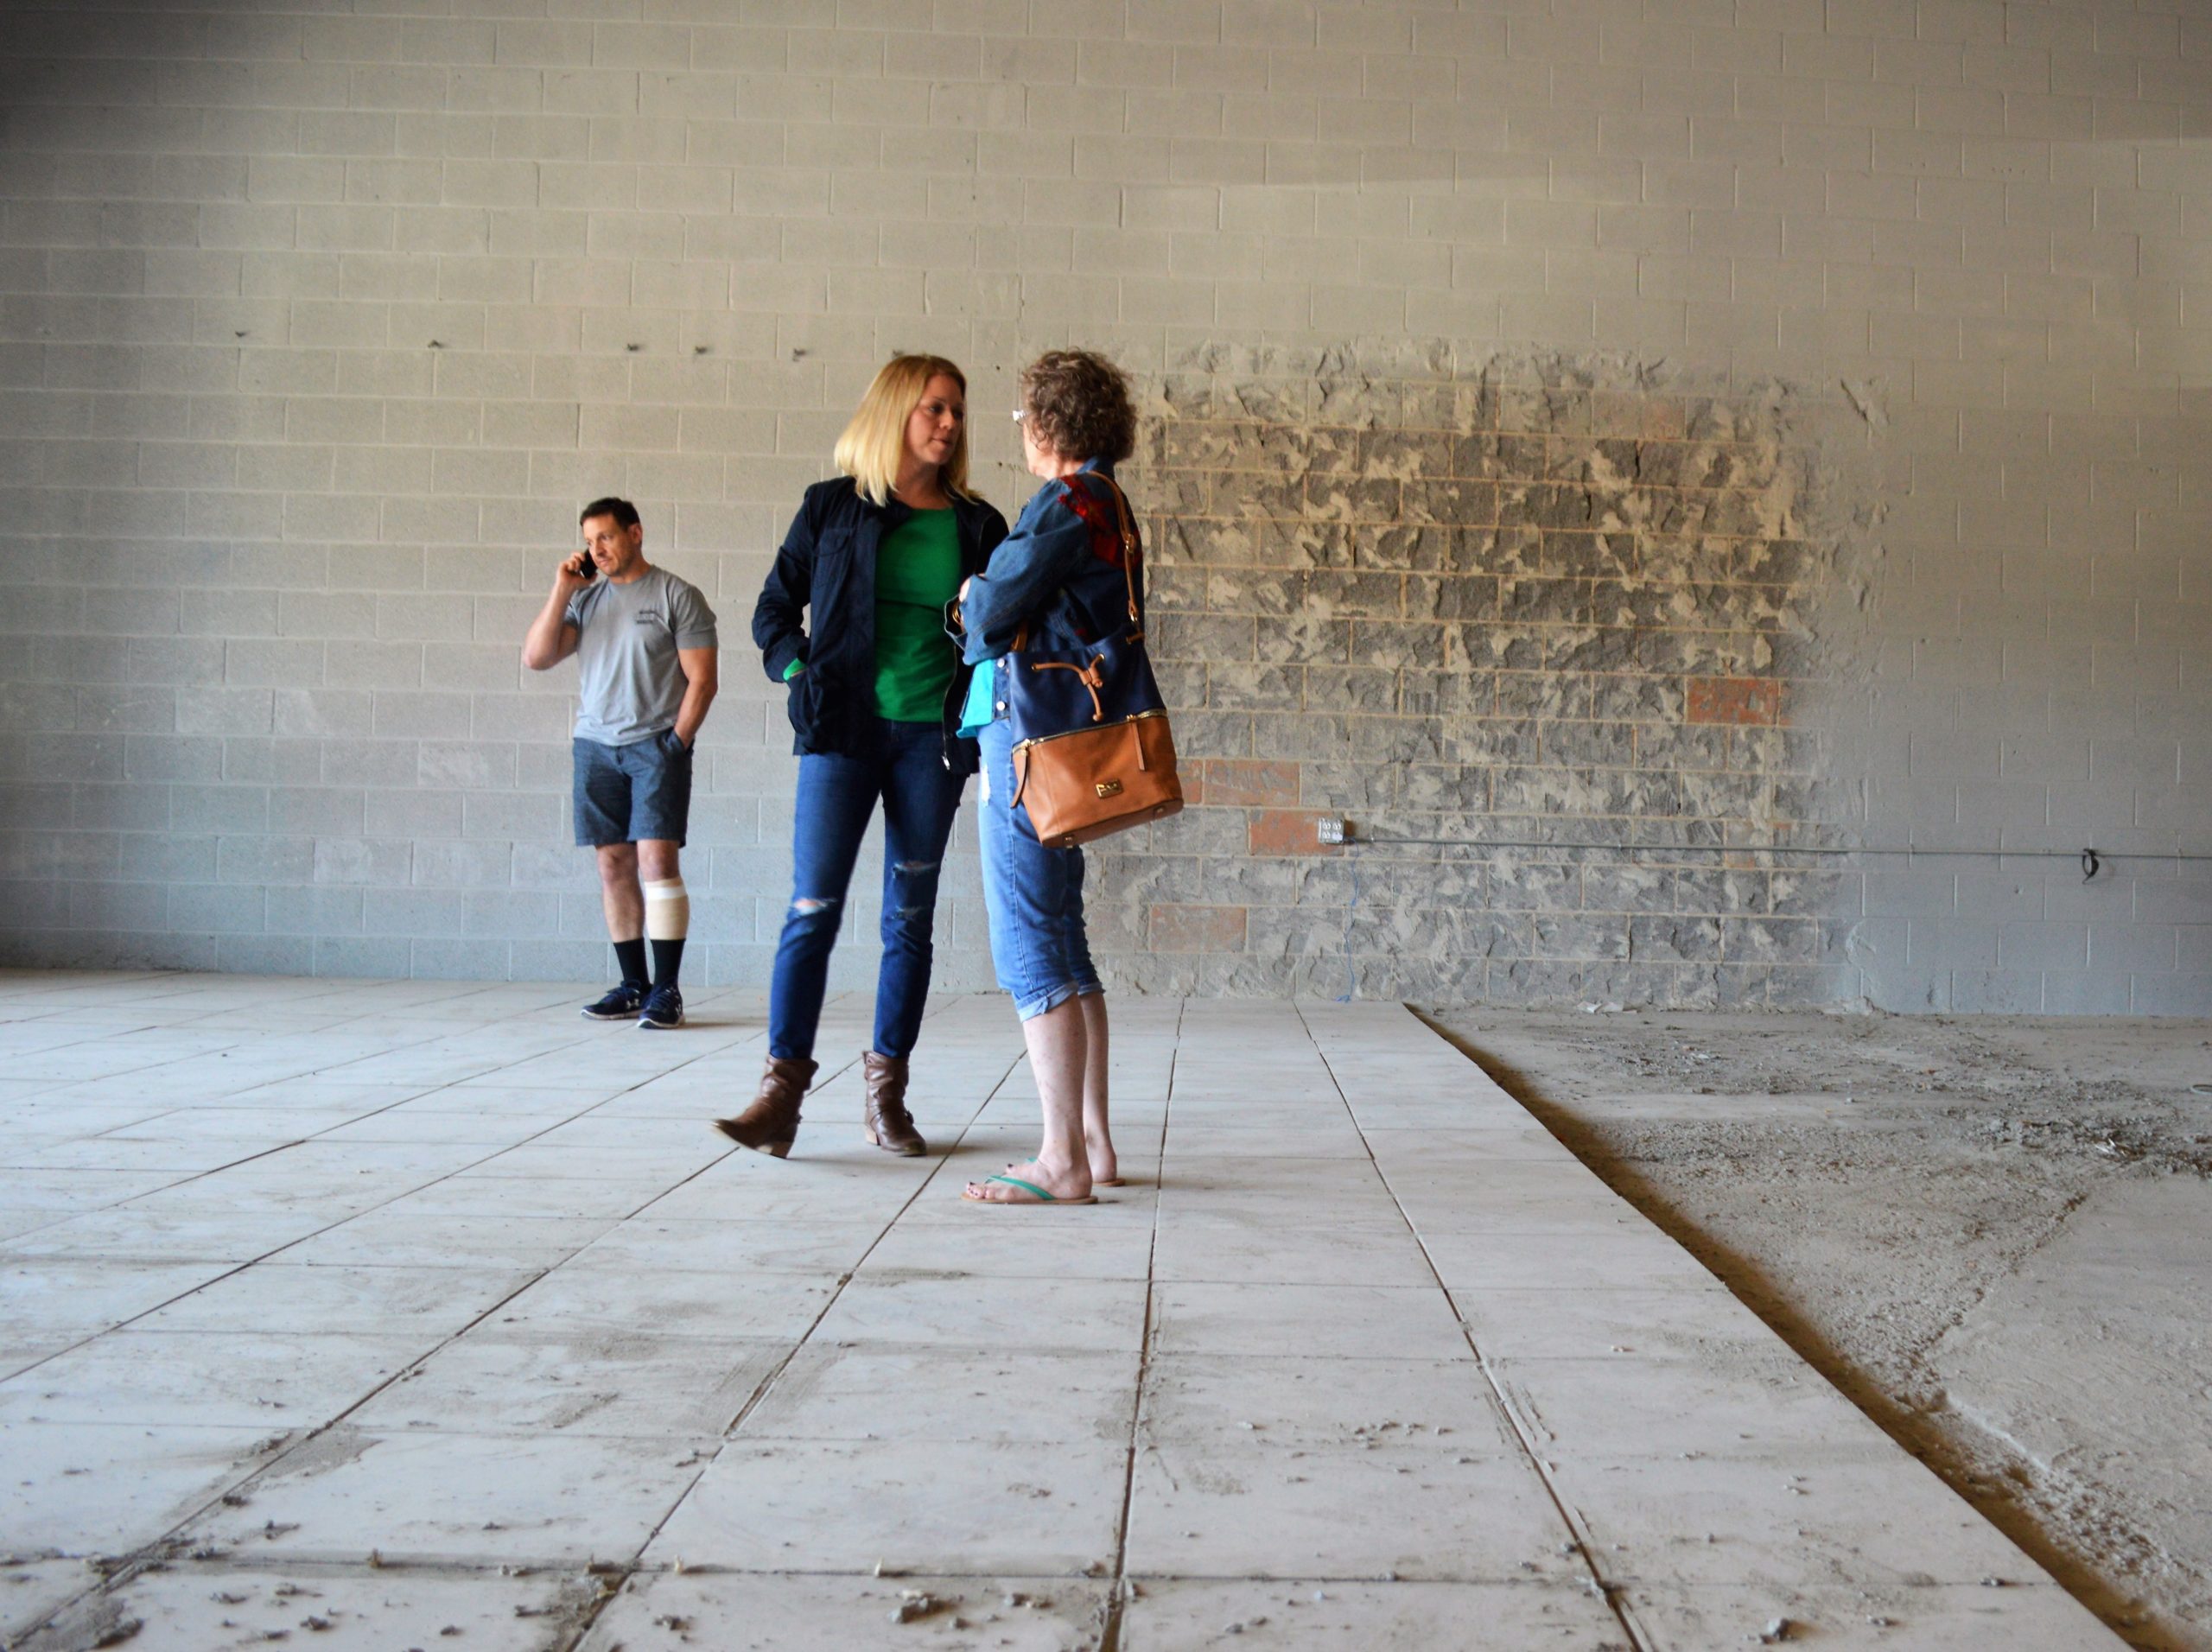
x=1527, y=603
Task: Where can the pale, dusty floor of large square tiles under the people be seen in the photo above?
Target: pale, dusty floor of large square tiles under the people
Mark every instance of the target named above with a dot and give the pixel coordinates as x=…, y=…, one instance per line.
x=1357, y=1359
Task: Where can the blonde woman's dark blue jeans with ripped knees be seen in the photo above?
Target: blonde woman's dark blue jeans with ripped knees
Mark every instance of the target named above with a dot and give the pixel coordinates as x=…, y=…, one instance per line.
x=837, y=797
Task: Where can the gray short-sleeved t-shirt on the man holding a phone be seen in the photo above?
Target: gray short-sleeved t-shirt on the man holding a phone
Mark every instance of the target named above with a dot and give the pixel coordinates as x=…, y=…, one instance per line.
x=627, y=654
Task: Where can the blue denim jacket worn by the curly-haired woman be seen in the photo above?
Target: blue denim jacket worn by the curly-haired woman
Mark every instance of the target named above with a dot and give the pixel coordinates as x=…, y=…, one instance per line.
x=1058, y=572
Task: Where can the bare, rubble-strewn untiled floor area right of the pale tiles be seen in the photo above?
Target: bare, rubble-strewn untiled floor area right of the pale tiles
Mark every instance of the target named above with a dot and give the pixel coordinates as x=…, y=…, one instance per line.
x=1992, y=1235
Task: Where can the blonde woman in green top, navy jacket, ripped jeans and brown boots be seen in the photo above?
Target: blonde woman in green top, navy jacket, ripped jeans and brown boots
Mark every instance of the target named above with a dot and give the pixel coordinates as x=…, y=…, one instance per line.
x=853, y=625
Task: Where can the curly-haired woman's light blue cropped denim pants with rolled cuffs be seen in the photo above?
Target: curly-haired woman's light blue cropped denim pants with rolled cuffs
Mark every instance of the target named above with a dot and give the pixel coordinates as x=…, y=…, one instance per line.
x=1032, y=895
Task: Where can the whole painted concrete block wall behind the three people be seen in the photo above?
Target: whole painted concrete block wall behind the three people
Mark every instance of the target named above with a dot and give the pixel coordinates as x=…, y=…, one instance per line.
x=315, y=328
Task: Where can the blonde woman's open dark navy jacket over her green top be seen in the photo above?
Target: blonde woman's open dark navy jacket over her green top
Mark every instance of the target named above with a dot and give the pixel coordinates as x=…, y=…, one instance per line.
x=820, y=607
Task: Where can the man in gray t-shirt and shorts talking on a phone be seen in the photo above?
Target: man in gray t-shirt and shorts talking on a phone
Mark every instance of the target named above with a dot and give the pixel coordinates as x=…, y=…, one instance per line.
x=645, y=647
